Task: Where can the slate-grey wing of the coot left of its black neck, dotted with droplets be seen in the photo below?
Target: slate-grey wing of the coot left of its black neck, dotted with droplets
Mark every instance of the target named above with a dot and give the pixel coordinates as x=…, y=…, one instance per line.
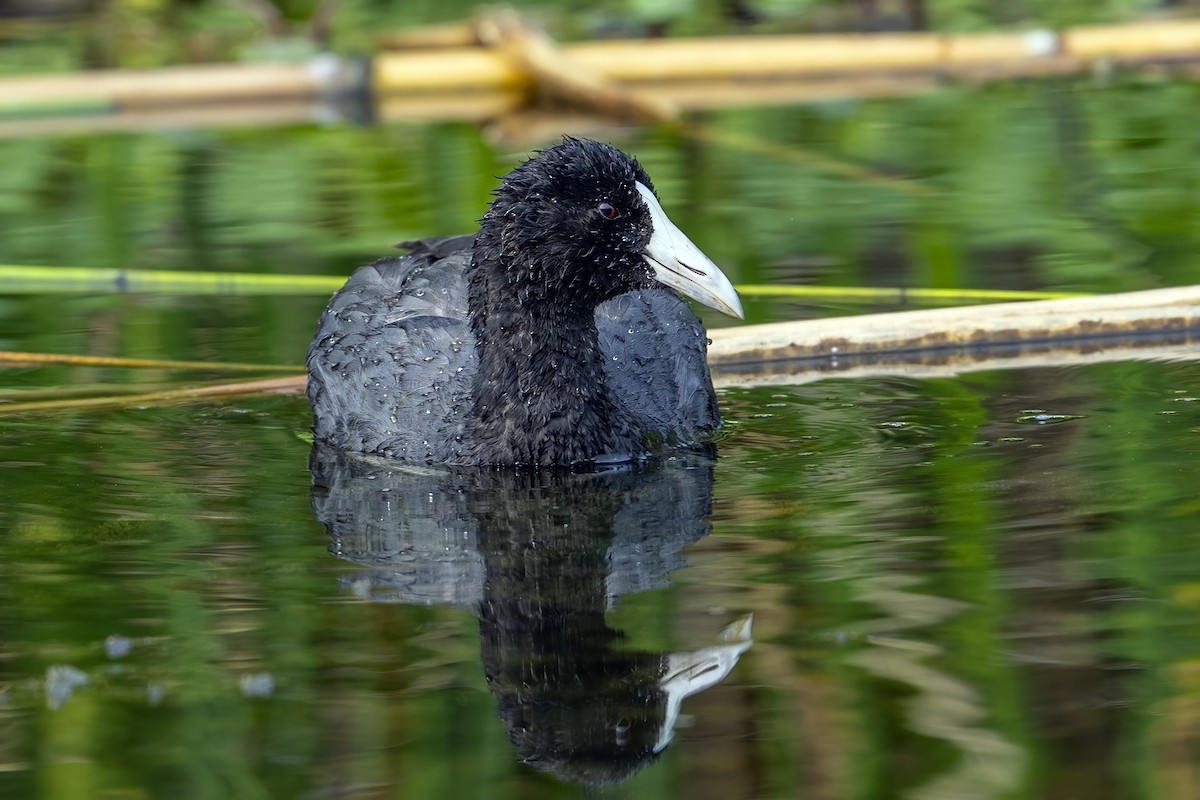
x=392, y=363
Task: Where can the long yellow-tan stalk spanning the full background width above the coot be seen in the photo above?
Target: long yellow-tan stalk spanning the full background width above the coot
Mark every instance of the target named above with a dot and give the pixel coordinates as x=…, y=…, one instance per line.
x=638, y=63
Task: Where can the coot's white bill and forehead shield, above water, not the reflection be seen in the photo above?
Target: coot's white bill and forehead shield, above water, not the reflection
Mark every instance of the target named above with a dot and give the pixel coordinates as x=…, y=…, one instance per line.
x=682, y=266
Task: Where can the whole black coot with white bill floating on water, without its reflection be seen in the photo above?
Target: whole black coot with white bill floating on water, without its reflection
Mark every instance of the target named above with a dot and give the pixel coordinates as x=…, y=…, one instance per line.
x=555, y=336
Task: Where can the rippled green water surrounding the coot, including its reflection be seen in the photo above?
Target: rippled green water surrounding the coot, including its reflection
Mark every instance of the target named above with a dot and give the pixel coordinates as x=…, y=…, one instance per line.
x=974, y=587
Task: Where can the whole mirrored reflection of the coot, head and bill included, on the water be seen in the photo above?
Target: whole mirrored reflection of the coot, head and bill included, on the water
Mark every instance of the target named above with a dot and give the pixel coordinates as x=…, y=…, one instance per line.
x=539, y=557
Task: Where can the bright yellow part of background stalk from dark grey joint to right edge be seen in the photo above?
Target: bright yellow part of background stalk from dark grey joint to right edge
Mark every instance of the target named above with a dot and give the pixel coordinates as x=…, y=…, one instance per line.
x=649, y=62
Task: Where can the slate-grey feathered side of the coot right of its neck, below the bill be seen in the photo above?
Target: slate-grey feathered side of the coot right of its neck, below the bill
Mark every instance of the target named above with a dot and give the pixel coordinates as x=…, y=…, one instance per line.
x=656, y=359
